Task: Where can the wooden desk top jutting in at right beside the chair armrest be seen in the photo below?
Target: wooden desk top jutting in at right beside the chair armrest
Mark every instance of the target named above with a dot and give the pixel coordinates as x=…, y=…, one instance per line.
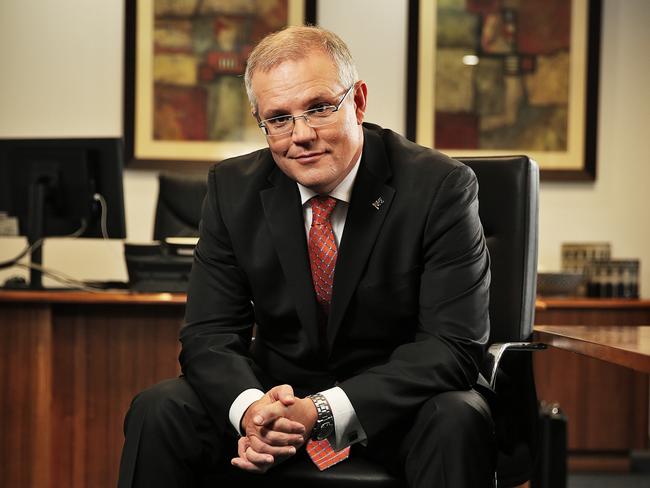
x=625, y=345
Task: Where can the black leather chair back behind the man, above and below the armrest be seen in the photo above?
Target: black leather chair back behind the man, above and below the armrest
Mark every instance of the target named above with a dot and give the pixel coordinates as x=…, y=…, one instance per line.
x=508, y=207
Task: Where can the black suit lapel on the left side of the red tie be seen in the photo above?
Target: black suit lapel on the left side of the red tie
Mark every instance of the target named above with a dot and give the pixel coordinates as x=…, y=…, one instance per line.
x=284, y=215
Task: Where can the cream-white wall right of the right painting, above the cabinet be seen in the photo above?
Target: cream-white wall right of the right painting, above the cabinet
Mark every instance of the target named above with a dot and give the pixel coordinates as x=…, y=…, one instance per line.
x=615, y=208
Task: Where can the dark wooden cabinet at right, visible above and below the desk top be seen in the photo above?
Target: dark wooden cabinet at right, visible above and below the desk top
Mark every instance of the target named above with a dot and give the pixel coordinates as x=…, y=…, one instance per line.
x=607, y=405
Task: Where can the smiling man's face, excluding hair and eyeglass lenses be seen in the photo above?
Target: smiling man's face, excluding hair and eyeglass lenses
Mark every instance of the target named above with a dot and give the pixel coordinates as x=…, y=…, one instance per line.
x=317, y=158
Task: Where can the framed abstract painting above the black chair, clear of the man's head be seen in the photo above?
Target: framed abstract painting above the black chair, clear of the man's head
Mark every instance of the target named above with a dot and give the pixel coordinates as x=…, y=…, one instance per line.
x=497, y=77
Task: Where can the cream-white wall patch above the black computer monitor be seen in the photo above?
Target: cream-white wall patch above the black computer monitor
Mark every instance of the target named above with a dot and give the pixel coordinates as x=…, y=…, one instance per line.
x=61, y=65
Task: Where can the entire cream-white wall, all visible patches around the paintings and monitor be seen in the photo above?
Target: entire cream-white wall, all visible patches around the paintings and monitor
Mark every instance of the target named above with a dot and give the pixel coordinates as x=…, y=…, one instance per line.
x=62, y=76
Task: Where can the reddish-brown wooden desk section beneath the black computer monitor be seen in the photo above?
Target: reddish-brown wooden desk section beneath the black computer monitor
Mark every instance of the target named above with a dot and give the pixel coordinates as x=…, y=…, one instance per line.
x=70, y=363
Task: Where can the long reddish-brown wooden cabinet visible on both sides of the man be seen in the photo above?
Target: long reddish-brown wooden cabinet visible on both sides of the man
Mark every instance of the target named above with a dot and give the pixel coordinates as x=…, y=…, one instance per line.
x=70, y=363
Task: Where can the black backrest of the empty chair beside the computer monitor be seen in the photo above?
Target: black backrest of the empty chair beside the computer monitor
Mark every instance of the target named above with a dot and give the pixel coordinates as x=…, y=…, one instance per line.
x=178, y=210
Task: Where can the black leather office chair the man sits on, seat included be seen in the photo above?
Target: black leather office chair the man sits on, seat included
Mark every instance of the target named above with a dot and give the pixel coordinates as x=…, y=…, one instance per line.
x=508, y=200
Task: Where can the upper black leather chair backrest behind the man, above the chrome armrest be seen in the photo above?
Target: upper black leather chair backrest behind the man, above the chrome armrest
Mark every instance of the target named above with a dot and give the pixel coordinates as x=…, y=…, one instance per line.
x=508, y=207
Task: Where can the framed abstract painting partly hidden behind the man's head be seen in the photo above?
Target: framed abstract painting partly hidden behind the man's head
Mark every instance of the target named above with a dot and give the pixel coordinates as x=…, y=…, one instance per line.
x=184, y=95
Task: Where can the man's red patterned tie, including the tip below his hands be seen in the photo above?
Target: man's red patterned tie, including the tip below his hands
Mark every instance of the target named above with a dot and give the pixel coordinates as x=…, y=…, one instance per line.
x=322, y=258
